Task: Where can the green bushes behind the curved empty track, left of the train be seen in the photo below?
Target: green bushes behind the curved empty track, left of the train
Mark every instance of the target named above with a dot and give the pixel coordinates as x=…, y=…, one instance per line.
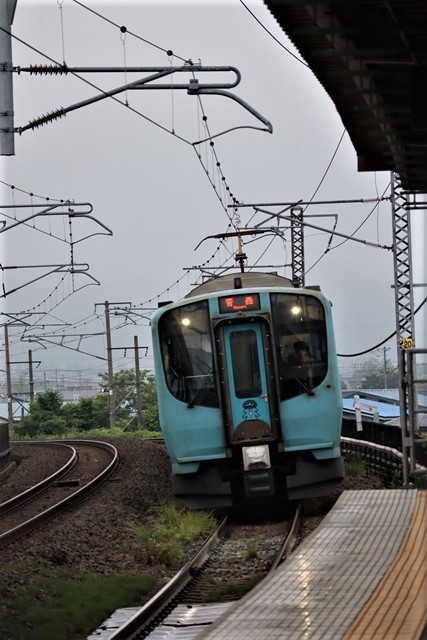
x=50, y=416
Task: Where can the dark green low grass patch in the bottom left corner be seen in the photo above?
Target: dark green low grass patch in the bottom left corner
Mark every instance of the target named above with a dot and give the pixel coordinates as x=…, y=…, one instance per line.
x=60, y=604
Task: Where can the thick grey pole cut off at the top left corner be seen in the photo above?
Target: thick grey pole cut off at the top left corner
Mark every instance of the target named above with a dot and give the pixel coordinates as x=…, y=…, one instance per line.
x=7, y=143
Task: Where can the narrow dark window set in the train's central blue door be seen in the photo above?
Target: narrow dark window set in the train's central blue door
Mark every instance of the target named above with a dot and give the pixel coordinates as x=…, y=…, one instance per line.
x=246, y=371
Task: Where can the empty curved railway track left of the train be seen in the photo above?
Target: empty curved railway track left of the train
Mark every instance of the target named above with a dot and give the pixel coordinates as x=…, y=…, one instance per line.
x=89, y=465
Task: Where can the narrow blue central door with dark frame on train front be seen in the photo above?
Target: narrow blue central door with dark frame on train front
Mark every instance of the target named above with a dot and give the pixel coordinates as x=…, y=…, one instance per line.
x=249, y=400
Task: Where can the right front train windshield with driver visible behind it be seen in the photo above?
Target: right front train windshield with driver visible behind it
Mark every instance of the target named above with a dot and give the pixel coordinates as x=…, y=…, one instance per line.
x=300, y=337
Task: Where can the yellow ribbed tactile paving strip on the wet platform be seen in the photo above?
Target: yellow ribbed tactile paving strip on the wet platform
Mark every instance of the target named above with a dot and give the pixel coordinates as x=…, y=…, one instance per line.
x=398, y=607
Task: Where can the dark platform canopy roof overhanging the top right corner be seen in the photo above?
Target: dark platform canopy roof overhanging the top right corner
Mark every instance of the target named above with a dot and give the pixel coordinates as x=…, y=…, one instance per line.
x=371, y=58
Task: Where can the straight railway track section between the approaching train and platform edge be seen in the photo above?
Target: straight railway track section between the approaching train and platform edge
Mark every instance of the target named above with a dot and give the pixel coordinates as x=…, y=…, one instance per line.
x=209, y=582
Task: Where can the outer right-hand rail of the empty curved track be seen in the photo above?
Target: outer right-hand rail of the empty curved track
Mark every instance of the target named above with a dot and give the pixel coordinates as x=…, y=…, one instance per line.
x=70, y=500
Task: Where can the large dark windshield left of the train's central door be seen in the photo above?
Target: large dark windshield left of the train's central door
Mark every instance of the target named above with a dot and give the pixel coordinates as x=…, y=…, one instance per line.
x=187, y=354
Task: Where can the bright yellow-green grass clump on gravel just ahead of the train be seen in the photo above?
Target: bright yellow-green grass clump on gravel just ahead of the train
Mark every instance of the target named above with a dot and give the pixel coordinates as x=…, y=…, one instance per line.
x=168, y=531
